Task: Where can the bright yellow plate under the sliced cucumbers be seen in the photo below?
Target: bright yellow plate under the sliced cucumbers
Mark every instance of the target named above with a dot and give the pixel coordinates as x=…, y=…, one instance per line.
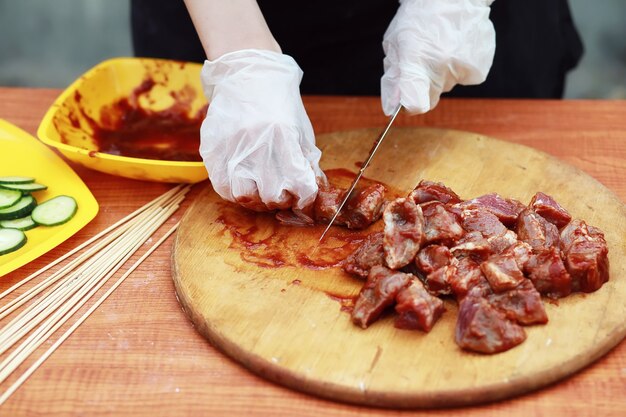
x=22, y=154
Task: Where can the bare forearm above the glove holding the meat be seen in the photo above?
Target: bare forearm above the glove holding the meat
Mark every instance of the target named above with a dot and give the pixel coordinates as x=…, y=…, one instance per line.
x=231, y=25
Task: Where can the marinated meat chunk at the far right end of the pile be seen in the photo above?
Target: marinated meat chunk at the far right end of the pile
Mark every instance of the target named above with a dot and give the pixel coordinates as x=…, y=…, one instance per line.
x=585, y=254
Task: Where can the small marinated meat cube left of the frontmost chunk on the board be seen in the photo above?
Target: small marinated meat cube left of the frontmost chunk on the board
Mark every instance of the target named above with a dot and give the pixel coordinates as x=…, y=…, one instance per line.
x=416, y=308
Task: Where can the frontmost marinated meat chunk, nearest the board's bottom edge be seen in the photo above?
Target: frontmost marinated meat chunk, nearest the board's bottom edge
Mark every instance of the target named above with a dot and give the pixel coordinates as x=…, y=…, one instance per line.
x=482, y=328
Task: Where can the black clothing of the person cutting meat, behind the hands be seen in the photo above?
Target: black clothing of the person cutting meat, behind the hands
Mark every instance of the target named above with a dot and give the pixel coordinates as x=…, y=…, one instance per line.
x=338, y=43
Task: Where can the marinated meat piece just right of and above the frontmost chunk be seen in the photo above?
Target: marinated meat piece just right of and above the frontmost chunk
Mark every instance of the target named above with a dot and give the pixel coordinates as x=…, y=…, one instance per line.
x=522, y=304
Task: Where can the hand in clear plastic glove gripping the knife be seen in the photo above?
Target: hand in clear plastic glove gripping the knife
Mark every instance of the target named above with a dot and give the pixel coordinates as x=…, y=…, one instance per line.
x=432, y=45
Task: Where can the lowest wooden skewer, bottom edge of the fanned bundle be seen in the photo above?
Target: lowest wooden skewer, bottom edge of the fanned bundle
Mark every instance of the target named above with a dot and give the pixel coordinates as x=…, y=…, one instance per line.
x=68, y=333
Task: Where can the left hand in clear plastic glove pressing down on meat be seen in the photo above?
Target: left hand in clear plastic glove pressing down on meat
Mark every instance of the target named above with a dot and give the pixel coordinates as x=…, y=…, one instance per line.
x=257, y=141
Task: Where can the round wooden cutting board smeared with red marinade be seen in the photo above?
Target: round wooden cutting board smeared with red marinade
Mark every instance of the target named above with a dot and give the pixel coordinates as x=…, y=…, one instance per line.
x=286, y=321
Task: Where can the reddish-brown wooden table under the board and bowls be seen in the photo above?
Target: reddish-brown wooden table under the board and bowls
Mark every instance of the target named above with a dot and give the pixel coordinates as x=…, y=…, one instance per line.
x=138, y=354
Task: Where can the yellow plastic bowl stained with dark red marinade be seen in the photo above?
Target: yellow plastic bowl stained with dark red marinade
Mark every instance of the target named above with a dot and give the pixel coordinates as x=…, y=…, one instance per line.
x=65, y=125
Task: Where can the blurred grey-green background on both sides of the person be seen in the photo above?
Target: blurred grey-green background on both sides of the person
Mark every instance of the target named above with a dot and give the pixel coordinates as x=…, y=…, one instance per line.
x=51, y=43
